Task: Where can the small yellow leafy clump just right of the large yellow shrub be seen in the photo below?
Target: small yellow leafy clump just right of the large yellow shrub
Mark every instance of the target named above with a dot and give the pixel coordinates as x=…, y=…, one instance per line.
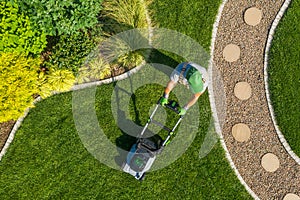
x=55, y=80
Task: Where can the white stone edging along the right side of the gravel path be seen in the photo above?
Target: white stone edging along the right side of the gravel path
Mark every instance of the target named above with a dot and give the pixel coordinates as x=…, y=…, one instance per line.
x=266, y=77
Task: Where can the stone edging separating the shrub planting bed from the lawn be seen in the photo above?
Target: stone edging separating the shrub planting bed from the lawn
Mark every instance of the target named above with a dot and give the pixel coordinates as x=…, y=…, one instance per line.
x=80, y=86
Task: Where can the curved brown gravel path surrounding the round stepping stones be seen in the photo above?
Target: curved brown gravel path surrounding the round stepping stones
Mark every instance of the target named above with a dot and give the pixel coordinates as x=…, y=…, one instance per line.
x=253, y=112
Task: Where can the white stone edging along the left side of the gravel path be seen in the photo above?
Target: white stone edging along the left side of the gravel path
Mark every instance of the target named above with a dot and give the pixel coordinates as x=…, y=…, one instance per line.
x=213, y=105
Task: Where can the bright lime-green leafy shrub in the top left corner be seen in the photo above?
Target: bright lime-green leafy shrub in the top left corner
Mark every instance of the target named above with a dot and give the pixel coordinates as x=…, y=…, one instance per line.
x=17, y=33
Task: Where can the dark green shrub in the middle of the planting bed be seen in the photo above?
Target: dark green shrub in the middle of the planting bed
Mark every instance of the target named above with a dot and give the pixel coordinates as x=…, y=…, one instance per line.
x=70, y=51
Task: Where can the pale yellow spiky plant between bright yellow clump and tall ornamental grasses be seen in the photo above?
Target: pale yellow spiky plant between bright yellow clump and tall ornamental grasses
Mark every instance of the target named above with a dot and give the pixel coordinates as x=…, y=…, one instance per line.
x=97, y=69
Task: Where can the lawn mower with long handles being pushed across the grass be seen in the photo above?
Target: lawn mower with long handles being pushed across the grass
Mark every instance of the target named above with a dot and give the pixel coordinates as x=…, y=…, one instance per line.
x=143, y=153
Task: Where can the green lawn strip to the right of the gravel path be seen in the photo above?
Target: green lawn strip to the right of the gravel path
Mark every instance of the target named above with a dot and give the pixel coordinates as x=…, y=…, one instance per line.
x=284, y=75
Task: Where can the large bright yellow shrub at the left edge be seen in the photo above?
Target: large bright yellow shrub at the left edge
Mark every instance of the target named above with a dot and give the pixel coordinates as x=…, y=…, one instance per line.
x=18, y=84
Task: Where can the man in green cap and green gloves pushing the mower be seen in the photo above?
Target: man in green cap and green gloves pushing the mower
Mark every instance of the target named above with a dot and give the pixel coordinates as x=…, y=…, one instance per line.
x=191, y=75
